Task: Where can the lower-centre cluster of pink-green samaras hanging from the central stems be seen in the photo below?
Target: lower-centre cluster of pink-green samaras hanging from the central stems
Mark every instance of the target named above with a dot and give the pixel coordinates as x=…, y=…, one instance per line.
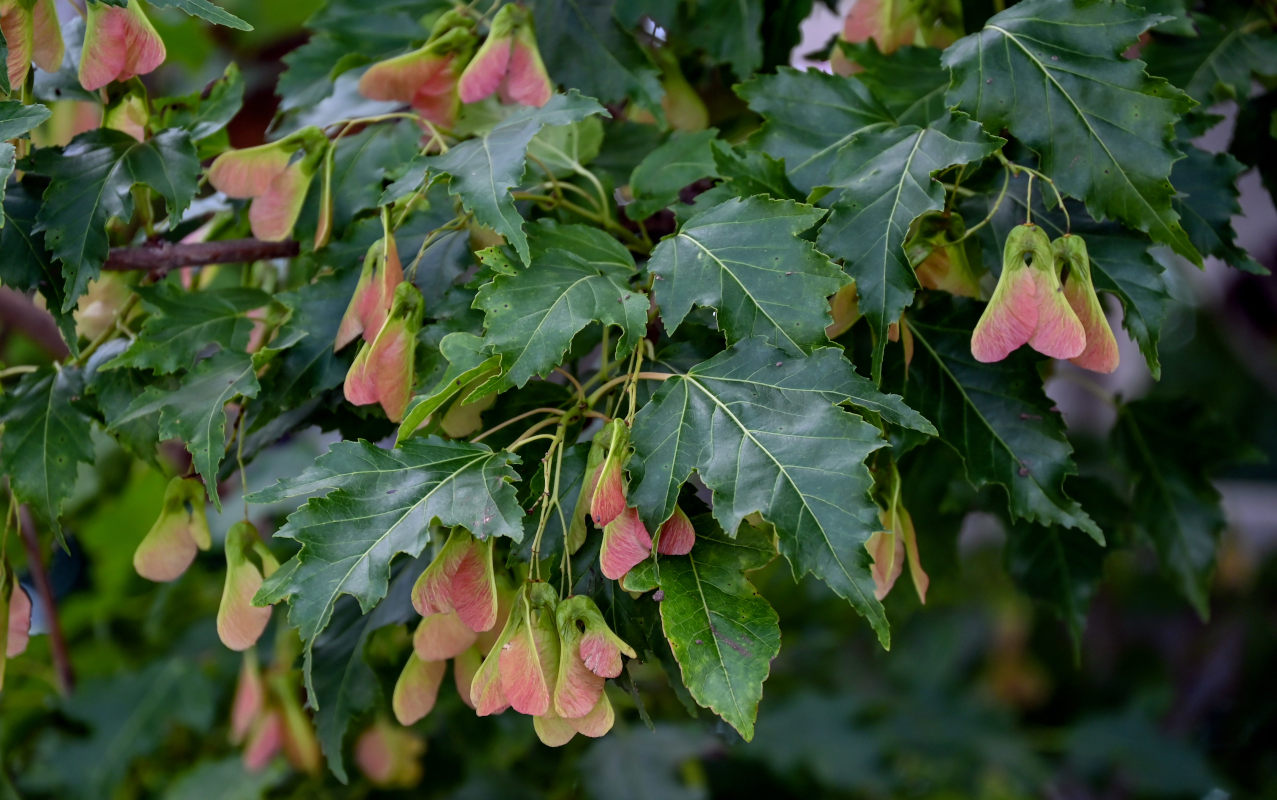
x=552, y=656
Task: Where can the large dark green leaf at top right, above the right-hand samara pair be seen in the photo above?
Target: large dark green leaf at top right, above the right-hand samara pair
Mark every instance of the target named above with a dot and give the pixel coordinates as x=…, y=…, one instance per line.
x=1053, y=73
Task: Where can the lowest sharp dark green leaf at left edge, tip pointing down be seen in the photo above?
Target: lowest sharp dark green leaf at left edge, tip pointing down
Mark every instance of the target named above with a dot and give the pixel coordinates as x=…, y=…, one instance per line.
x=45, y=438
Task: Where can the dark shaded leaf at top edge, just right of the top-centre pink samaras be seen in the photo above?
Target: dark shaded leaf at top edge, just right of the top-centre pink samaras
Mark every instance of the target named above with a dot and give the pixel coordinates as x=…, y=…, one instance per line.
x=584, y=48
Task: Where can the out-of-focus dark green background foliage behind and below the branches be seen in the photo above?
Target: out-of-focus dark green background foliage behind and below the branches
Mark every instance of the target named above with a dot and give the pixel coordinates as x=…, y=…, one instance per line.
x=984, y=696
